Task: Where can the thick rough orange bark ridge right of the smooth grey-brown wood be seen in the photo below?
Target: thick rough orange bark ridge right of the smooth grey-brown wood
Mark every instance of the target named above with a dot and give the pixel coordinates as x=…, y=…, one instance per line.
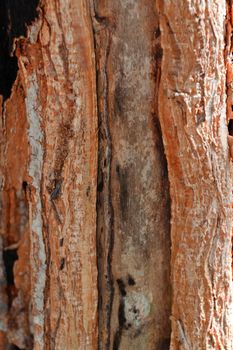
x=192, y=111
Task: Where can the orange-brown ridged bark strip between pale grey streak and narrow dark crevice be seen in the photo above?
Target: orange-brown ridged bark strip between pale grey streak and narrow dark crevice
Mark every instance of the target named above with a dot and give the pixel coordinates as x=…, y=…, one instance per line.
x=69, y=174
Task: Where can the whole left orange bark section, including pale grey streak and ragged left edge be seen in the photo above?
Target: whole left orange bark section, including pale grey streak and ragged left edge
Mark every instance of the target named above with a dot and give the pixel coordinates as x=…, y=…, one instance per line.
x=51, y=119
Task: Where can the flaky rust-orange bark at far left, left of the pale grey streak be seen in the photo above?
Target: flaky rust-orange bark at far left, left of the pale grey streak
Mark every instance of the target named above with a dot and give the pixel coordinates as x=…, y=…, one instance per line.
x=14, y=220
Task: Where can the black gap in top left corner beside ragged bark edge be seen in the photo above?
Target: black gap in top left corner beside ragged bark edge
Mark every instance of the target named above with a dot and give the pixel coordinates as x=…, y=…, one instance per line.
x=15, y=16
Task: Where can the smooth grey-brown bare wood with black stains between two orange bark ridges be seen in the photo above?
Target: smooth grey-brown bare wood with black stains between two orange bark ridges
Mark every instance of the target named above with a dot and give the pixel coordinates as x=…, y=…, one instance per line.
x=133, y=206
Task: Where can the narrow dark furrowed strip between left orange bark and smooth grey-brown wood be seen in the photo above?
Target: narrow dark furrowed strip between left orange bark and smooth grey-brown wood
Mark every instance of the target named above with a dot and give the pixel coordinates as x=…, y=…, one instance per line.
x=104, y=208
